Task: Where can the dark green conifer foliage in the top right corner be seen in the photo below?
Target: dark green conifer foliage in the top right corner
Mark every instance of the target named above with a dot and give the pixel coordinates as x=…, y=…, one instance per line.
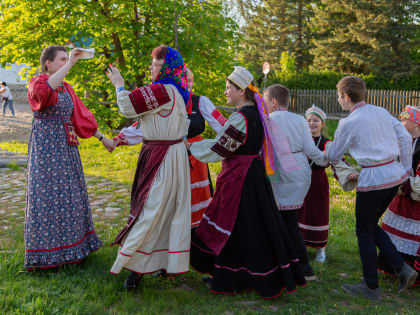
x=367, y=36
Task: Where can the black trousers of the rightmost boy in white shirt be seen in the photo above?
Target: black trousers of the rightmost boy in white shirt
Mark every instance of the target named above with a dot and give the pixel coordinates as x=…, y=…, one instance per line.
x=370, y=206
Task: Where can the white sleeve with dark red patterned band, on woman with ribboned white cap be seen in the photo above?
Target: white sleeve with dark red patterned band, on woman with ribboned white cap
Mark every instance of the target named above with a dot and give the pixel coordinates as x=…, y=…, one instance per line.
x=228, y=140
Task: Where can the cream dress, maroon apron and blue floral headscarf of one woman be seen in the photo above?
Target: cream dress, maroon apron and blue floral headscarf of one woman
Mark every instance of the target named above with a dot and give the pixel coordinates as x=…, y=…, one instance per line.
x=157, y=234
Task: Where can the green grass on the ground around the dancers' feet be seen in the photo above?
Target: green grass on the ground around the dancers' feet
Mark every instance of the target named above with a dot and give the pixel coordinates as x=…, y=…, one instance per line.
x=90, y=289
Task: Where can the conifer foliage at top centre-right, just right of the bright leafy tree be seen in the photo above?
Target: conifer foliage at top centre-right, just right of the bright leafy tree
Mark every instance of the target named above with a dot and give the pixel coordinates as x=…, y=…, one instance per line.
x=274, y=26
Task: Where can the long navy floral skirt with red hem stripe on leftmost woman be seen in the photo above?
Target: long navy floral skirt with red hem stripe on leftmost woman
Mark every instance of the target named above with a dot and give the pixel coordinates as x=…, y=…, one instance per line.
x=59, y=227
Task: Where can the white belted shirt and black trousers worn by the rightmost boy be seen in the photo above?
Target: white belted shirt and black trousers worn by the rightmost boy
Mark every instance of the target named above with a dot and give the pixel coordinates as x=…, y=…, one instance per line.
x=382, y=147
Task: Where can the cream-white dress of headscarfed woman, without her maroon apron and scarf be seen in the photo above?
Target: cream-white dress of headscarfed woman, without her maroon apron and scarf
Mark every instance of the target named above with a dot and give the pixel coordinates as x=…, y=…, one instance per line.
x=160, y=236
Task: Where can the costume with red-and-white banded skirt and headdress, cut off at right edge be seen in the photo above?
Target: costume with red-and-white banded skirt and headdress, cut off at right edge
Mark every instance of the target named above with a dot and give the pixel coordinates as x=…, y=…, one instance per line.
x=402, y=219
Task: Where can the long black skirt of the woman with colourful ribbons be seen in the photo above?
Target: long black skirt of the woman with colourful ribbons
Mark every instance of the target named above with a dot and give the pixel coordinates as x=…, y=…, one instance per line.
x=258, y=254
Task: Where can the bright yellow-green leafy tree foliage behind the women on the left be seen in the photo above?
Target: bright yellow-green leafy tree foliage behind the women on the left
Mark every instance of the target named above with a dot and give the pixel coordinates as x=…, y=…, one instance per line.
x=123, y=32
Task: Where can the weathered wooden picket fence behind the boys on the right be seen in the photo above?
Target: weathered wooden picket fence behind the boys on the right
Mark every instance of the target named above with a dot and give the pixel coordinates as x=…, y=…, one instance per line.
x=393, y=101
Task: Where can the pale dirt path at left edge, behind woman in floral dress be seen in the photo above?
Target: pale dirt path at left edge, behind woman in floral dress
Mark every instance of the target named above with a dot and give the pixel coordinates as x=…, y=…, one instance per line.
x=16, y=128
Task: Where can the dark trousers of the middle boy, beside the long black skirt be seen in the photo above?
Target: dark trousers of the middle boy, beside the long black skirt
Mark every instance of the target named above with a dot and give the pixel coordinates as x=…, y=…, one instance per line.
x=290, y=218
